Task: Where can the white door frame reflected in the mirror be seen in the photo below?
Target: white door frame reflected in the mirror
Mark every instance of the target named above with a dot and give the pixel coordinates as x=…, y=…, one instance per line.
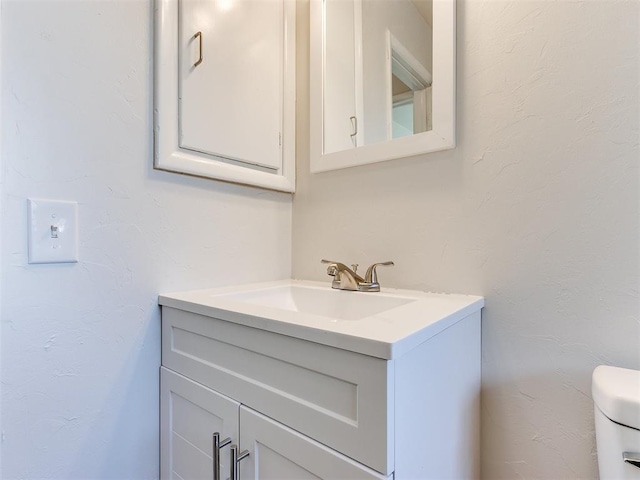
x=402, y=64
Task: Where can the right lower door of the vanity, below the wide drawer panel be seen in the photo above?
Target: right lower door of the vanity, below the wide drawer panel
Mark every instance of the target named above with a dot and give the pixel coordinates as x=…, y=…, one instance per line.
x=277, y=452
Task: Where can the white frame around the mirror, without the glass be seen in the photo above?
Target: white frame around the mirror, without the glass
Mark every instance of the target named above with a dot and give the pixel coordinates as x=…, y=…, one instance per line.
x=442, y=134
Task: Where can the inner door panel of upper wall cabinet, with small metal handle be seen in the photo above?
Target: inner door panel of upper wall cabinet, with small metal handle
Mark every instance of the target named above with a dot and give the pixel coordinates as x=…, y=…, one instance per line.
x=232, y=79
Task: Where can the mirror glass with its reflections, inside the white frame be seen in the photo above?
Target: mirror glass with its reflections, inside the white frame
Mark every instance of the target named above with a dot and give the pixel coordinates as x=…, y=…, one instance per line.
x=377, y=78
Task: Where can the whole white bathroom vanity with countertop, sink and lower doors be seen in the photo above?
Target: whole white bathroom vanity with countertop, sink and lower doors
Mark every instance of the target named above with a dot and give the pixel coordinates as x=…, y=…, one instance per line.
x=319, y=383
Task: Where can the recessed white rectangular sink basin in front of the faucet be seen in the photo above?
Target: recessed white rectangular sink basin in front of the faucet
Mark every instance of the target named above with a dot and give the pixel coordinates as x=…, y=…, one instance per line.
x=334, y=304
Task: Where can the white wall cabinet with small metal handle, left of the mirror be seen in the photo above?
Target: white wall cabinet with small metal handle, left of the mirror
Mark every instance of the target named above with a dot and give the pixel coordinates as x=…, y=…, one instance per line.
x=224, y=90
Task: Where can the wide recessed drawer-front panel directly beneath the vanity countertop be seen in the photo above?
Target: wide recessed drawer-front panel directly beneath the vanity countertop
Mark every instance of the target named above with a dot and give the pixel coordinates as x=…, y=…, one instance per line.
x=339, y=398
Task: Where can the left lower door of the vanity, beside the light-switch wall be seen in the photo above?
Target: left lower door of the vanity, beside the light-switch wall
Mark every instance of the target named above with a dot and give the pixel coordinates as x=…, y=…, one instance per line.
x=190, y=414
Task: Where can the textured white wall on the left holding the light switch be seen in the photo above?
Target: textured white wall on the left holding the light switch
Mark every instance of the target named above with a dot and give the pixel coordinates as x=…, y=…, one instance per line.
x=81, y=343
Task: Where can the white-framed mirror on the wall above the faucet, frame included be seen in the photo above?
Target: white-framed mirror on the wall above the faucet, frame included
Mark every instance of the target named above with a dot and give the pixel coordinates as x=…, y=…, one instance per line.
x=382, y=80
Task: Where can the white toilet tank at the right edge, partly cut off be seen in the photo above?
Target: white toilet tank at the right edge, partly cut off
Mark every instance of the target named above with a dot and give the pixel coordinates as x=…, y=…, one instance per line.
x=616, y=395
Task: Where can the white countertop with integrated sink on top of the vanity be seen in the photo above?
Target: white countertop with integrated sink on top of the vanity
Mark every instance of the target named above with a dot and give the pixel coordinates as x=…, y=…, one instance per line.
x=409, y=319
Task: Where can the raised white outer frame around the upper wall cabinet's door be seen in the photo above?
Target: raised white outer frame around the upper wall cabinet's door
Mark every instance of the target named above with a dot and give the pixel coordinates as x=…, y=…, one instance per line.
x=169, y=155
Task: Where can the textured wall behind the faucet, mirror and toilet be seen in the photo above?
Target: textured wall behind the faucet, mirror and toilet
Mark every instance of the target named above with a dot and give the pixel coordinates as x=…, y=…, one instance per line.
x=537, y=209
